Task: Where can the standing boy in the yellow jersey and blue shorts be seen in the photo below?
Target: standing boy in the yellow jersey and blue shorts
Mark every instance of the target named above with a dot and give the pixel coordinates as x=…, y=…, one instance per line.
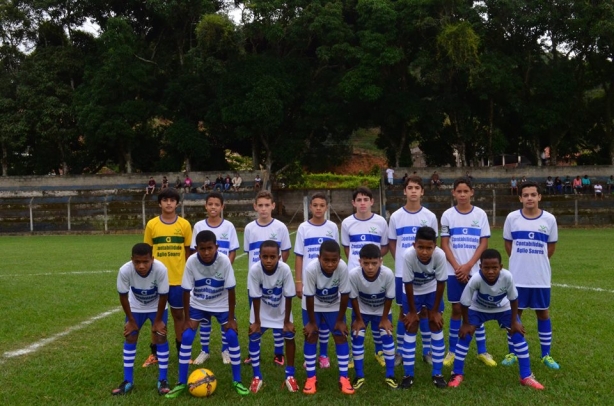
x=170, y=236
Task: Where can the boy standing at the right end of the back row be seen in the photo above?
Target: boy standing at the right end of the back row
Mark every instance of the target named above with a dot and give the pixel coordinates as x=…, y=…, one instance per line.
x=530, y=236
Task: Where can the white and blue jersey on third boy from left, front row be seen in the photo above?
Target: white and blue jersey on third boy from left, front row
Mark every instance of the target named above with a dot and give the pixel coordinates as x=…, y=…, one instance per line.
x=272, y=290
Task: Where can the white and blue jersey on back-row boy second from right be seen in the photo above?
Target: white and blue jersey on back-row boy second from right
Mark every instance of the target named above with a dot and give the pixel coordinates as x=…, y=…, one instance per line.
x=465, y=231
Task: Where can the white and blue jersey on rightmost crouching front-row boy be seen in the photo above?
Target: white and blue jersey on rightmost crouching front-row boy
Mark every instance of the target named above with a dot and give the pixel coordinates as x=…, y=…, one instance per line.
x=483, y=297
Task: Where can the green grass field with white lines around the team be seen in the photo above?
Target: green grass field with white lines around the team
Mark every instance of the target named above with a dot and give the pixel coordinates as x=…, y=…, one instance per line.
x=61, y=335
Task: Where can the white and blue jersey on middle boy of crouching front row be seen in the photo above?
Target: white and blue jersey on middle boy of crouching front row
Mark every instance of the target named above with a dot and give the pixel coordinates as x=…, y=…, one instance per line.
x=325, y=289
